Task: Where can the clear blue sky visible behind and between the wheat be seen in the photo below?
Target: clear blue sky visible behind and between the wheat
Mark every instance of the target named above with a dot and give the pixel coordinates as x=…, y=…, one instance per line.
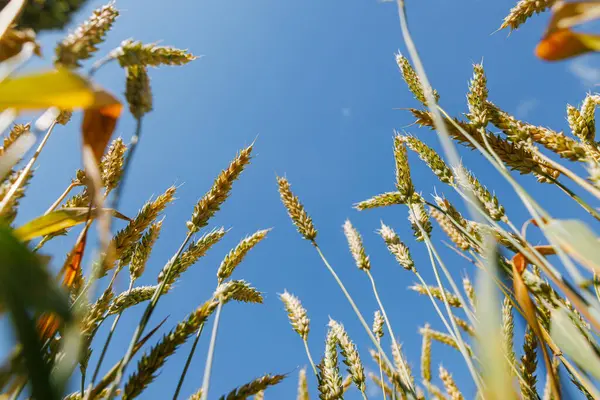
x=317, y=83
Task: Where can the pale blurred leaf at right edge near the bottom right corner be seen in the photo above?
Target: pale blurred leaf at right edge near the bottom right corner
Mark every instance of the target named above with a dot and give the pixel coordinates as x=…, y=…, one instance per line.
x=572, y=342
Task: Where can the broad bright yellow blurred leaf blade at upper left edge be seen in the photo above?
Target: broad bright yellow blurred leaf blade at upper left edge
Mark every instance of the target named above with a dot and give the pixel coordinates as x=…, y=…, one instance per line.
x=57, y=88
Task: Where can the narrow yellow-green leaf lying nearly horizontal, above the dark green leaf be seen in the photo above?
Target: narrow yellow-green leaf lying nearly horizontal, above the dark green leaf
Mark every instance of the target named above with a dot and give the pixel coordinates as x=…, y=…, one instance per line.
x=58, y=220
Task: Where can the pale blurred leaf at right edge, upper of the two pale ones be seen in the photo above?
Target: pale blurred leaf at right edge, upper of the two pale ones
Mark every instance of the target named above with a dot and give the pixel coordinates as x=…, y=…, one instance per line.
x=578, y=240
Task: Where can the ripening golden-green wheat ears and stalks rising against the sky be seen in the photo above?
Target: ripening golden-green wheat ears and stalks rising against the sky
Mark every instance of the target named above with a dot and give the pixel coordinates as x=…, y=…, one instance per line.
x=553, y=287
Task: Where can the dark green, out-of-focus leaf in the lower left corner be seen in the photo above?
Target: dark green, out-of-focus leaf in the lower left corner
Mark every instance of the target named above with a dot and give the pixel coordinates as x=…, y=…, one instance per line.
x=26, y=288
